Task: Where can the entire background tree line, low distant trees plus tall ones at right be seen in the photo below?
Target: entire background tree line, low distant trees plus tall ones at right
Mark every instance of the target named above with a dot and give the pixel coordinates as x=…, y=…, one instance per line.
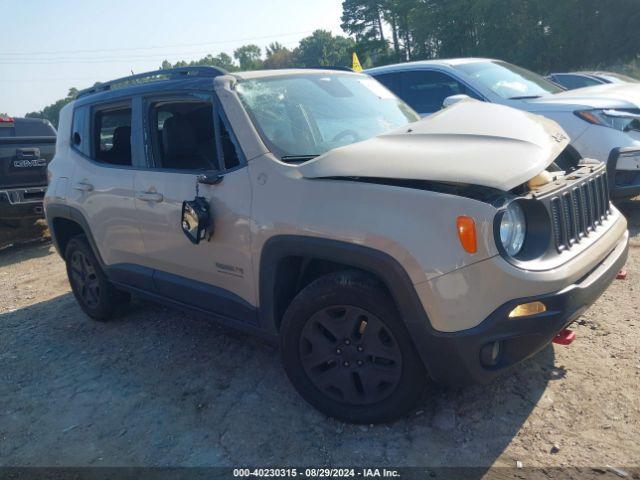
x=542, y=35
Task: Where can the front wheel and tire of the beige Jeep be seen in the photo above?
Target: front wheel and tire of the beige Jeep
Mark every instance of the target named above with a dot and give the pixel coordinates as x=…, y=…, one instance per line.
x=347, y=352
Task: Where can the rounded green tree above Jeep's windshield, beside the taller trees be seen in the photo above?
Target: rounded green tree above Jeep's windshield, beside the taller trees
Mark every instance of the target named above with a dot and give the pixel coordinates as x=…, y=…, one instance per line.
x=323, y=49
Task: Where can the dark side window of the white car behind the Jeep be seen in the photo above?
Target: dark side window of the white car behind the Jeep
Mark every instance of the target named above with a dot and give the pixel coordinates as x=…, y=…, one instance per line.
x=426, y=91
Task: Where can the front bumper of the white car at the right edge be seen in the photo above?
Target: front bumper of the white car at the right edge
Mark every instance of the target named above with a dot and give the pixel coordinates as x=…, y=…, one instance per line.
x=623, y=166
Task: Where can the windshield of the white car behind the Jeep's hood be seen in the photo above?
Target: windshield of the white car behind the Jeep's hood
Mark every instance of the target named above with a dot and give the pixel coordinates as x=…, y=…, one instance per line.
x=509, y=81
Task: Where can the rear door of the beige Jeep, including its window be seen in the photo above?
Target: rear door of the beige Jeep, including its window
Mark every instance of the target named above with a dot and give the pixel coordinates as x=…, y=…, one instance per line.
x=104, y=141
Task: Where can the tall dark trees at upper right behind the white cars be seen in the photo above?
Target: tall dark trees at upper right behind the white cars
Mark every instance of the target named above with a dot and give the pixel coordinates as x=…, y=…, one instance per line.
x=542, y=35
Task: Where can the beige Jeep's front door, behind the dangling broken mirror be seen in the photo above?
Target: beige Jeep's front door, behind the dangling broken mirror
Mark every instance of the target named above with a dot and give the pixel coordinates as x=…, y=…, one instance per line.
x=186, y=136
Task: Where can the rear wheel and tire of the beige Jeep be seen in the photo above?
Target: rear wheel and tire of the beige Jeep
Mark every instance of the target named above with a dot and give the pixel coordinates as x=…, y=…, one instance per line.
x=97, y=297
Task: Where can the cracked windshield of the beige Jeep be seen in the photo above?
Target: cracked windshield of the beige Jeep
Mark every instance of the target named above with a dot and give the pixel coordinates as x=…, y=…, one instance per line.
x=302, y=116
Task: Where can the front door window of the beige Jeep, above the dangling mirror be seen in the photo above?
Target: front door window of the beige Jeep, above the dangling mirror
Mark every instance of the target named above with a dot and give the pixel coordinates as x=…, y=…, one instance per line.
x=184, y=136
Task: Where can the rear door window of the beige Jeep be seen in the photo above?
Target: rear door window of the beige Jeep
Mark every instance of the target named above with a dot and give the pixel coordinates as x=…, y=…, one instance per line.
x=112, y=135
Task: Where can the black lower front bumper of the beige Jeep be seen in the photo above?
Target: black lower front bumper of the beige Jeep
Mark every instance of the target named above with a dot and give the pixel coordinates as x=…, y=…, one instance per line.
x=454, y=359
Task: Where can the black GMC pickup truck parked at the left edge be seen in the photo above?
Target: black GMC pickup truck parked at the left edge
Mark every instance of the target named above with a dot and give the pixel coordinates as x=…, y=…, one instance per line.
x=27, y=145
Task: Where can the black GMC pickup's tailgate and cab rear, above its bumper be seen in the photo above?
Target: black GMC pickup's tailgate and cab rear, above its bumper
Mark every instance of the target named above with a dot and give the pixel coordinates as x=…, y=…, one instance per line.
x=26, y=148
